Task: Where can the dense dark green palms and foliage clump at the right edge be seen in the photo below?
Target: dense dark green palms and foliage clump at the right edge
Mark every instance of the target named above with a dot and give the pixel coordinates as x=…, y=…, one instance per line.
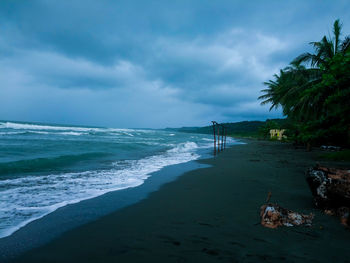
x=314, y=92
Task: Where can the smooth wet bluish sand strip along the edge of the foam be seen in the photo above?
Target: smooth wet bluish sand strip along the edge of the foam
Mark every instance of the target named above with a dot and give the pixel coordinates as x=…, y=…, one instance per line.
x=42, y=230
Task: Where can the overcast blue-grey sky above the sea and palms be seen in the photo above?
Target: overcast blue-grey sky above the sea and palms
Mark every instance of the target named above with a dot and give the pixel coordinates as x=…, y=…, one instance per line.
x=151, y=64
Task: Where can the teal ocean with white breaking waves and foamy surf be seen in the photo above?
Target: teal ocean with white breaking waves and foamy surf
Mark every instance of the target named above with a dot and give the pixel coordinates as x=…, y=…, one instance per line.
x=44, y=167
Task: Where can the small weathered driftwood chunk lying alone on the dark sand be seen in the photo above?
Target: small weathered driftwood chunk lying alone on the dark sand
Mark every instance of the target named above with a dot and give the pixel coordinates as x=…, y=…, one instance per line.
x=273, y=216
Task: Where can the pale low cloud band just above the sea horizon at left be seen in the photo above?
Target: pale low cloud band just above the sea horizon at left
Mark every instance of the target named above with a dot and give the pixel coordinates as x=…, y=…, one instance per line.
x=124, y=94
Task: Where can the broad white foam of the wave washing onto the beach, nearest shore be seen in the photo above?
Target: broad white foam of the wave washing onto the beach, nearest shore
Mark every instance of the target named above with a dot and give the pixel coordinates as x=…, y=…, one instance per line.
x=29, y=198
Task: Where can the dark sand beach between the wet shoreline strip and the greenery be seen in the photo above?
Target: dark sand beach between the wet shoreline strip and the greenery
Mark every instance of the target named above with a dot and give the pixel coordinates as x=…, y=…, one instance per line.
x=212, y=215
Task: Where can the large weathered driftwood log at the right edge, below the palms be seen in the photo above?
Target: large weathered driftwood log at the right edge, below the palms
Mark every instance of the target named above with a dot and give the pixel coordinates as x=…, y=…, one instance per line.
x=330, y=188
